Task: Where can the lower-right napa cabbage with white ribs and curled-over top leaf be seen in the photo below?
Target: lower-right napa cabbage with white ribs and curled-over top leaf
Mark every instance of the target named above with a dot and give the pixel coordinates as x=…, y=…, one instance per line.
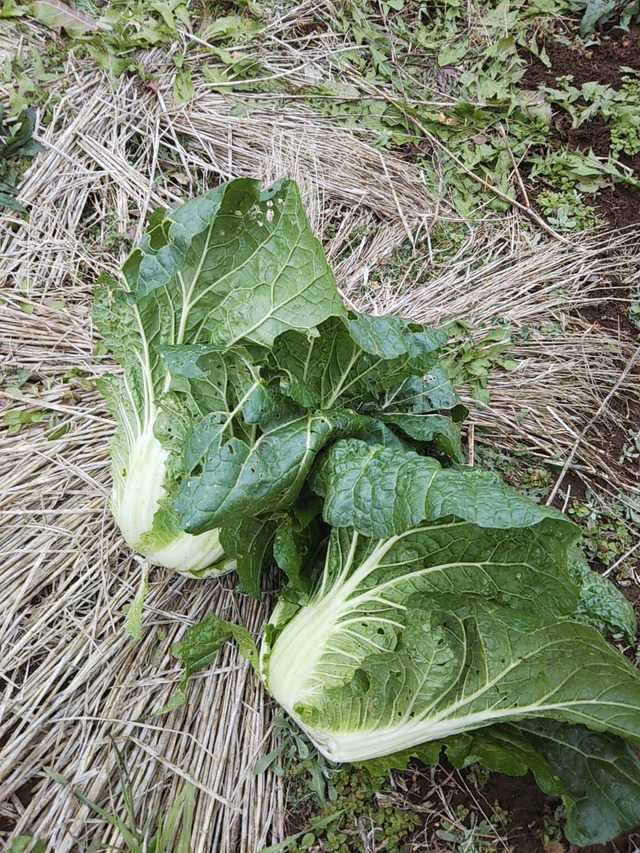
x=455, y=625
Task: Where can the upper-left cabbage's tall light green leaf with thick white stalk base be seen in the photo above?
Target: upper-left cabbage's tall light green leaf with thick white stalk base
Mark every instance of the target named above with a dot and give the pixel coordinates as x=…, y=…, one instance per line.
x=237, y=265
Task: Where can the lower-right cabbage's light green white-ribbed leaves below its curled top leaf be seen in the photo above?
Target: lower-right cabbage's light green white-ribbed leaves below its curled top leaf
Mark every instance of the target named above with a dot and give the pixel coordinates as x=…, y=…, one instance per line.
x=442, y=629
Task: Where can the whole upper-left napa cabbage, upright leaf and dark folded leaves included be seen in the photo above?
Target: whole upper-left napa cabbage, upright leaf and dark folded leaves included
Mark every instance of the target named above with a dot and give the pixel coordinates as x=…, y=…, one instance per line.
x=241, y=364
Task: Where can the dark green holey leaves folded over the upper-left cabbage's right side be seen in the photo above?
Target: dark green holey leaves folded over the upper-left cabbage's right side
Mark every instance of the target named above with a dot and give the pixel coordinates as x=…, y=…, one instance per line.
x=250, y=422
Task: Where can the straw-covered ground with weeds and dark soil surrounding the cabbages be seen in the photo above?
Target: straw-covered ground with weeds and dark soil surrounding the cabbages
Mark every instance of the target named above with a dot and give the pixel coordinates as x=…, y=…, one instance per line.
x=378, y=267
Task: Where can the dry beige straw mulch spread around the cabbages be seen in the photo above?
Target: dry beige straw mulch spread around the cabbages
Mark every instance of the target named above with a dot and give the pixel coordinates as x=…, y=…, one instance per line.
x=72, y=680
